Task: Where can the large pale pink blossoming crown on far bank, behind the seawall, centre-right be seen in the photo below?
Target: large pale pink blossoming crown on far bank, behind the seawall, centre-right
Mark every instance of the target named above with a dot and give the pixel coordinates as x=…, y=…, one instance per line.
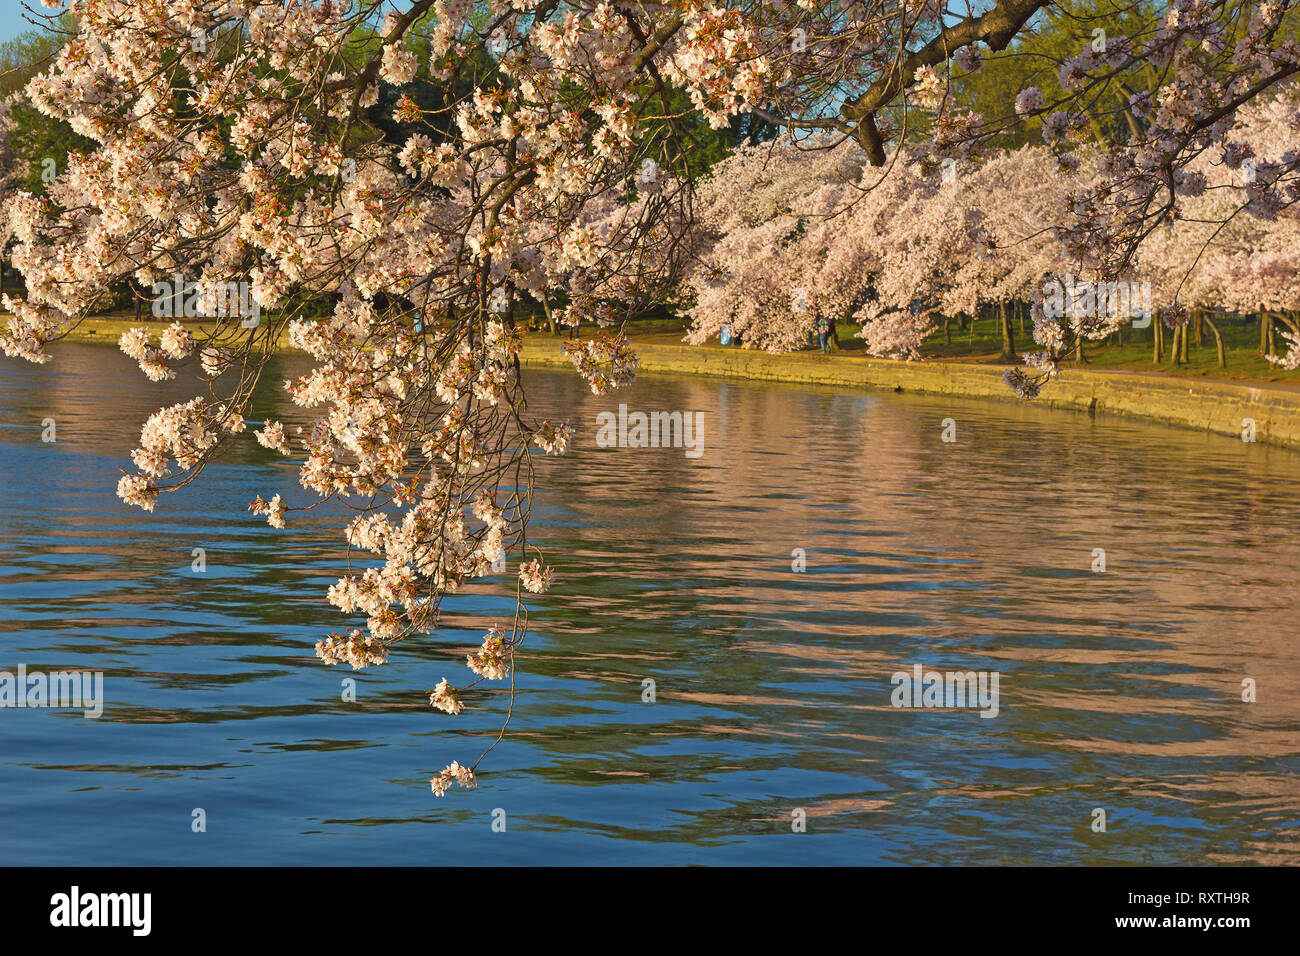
x=788, y=233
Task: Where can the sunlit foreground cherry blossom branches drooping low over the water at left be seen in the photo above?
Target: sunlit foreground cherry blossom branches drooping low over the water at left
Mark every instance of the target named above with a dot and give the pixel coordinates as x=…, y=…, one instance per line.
x=236, y=141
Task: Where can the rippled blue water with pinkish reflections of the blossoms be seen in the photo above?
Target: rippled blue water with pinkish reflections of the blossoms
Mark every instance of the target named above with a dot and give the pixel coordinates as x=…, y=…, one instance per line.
x=1119, y=691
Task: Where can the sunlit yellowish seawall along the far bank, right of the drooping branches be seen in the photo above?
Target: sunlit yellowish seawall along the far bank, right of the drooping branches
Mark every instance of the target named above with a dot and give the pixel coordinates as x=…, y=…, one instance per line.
x=1214, y=406
